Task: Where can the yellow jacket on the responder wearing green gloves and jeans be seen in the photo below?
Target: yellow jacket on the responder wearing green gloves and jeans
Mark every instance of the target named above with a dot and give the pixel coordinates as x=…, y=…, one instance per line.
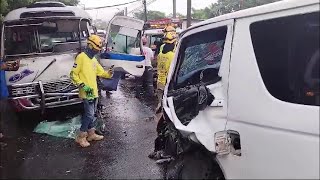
x=86, y=70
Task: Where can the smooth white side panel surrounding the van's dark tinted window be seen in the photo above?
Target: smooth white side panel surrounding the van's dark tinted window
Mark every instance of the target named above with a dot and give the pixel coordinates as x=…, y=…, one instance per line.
x=278, y=139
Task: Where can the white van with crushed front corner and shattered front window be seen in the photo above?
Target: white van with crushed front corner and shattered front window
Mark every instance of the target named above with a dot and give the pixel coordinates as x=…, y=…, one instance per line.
x=242, y=96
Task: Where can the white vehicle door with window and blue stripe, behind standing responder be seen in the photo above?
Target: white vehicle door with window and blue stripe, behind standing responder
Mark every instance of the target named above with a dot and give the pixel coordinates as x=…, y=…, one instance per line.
x=124, y=49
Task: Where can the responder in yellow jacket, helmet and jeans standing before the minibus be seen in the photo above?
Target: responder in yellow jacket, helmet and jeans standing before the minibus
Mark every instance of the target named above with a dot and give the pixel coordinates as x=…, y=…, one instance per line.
x=84, y=75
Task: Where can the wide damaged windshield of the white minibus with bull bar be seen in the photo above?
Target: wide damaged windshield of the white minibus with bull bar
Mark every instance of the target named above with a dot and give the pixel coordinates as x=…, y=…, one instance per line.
x=45, y=37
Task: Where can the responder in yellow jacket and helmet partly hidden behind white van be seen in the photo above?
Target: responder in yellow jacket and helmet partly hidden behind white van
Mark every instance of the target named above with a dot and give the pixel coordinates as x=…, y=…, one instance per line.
x=165, y=57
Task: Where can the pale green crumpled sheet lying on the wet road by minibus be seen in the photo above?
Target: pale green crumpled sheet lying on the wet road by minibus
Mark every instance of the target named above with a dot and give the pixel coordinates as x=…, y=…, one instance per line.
x=65, y=129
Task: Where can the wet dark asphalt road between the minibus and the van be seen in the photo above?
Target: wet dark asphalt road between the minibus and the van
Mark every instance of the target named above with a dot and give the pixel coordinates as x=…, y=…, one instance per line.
x=123, y=154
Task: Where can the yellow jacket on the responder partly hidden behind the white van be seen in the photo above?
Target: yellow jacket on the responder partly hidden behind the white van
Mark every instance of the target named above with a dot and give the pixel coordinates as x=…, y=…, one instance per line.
x=164, y=61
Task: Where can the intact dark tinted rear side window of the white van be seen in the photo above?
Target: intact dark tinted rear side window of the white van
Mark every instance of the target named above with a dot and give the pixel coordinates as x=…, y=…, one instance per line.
x=287, y=53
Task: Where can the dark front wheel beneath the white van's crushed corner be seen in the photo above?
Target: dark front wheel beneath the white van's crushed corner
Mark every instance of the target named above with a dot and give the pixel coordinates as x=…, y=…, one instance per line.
x=193, y=166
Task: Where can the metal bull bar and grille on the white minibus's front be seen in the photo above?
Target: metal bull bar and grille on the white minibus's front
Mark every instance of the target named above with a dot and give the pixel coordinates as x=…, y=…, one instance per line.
x=43, y=95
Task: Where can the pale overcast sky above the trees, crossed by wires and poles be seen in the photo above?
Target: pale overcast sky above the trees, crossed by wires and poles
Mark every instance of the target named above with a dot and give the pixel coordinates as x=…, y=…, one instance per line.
x=159, y=5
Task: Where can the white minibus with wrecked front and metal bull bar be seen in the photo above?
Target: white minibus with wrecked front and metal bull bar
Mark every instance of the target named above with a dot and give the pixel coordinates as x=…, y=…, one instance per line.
x=45, y=37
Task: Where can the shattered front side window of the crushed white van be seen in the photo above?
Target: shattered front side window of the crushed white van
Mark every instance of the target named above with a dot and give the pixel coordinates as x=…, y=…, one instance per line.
x=200, y=57
